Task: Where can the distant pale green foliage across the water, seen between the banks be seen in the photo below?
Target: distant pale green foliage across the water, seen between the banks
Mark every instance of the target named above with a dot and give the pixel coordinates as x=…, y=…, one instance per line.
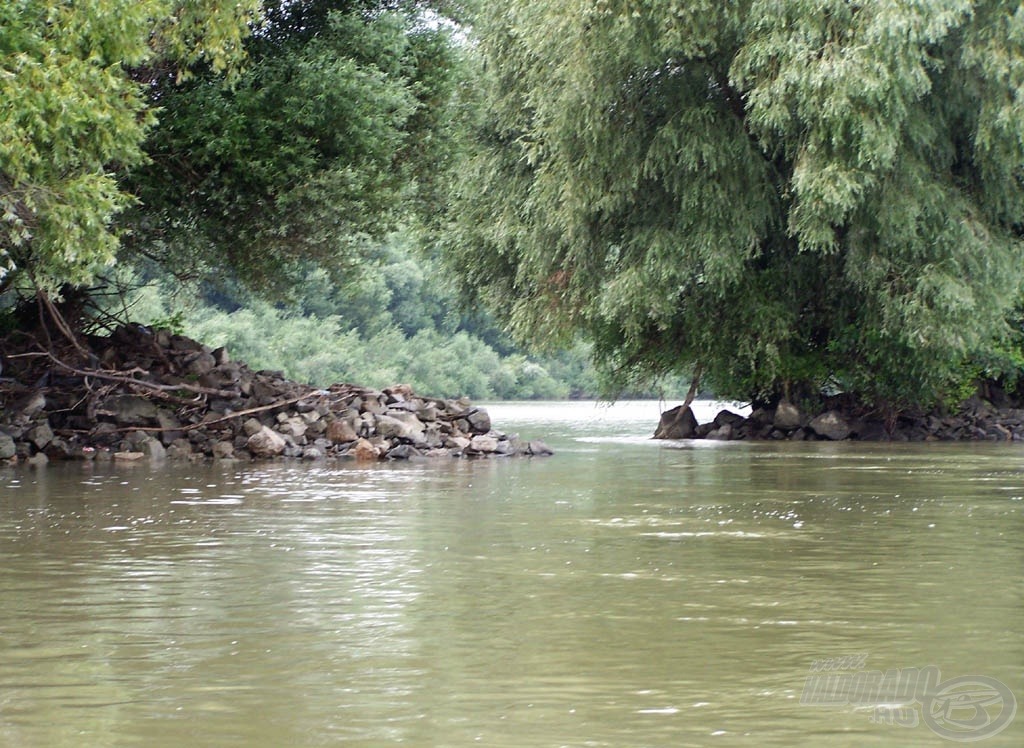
x=397, y=322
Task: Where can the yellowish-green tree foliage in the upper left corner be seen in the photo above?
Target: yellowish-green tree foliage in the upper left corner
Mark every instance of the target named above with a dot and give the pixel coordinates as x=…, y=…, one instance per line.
x=74, y=113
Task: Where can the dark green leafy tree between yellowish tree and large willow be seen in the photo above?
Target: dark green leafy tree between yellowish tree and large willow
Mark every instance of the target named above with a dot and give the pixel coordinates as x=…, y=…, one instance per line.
x=337, y=128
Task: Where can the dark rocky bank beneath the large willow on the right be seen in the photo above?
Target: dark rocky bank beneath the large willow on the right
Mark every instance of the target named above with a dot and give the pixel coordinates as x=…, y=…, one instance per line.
x=975, y=420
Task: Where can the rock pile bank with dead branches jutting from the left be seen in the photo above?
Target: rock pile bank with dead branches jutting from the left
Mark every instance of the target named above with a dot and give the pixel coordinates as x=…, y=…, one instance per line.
x=153, y=395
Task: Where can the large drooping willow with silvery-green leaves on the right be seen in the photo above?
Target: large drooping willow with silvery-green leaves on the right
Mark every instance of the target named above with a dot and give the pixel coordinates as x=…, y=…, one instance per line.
x=795, y=197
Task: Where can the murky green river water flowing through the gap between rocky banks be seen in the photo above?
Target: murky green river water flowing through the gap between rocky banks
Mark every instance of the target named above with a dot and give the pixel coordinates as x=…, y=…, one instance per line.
x=624, y=593
